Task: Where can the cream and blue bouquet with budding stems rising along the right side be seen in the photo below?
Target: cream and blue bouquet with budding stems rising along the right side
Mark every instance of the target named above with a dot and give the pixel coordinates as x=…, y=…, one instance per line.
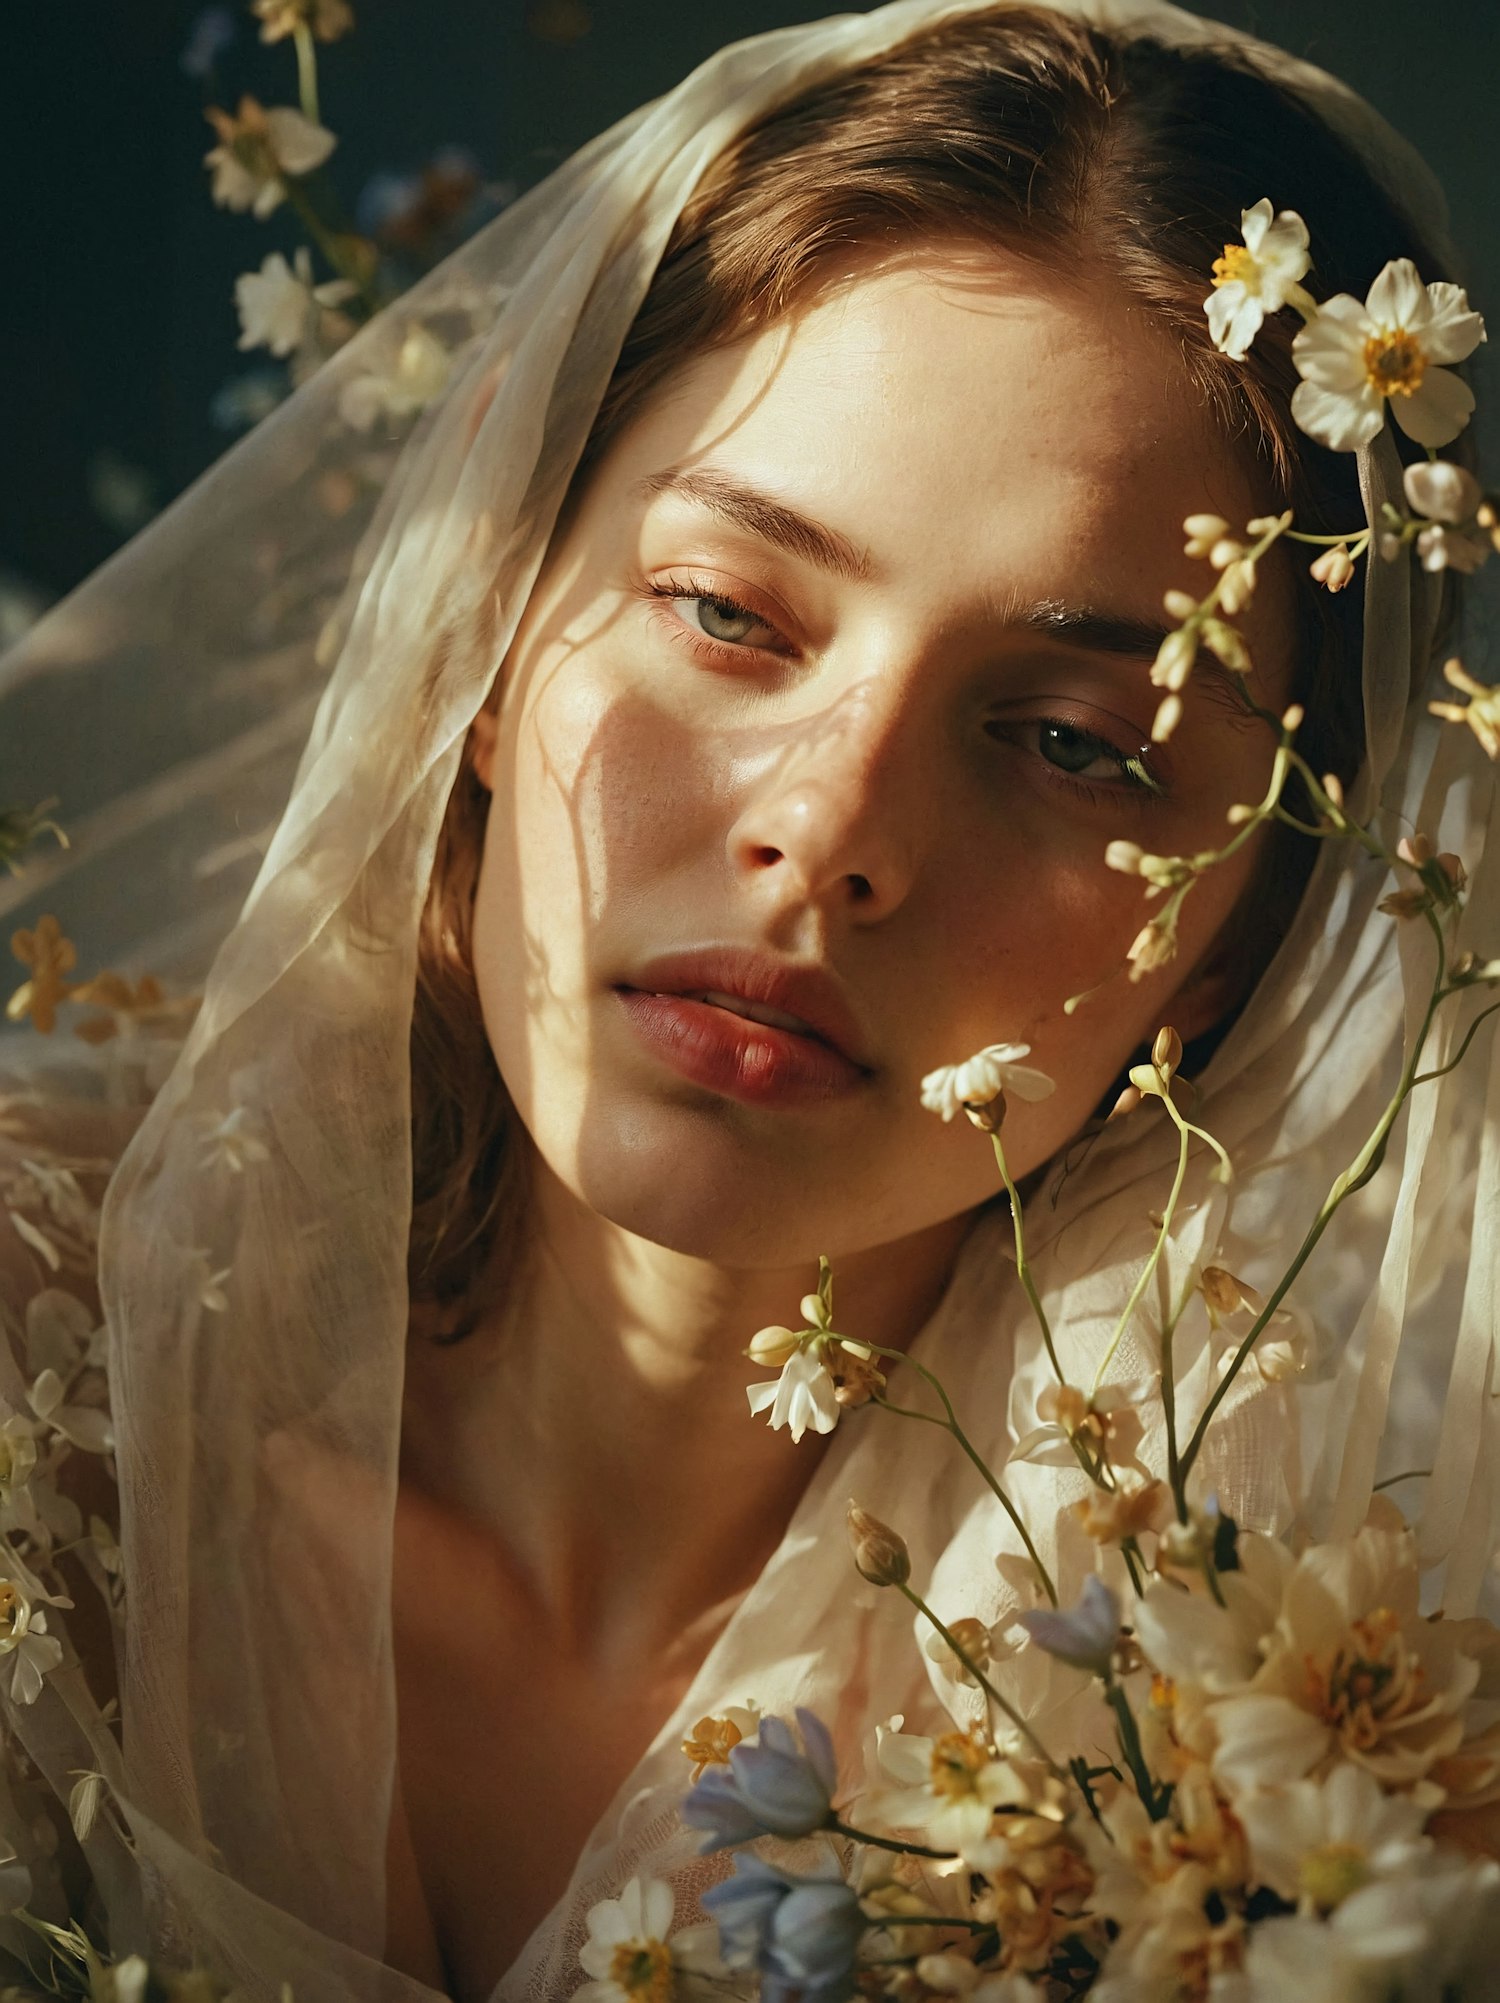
x=1283, y=1752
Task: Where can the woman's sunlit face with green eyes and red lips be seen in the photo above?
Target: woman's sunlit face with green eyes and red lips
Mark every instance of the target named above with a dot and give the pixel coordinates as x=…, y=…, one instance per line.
x=828, y=702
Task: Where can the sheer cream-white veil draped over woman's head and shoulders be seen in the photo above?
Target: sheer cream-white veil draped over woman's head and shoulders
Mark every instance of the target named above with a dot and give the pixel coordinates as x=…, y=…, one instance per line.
x=365, y=588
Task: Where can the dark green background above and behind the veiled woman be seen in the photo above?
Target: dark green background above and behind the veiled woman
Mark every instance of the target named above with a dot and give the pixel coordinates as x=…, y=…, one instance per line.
x=117, y=271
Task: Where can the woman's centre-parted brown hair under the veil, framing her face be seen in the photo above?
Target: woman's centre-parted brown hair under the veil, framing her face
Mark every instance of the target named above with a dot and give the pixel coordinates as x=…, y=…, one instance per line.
x=1036, y=135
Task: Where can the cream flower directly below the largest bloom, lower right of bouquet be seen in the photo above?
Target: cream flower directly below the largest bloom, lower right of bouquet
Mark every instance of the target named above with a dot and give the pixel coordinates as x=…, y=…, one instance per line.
x=1321, y=1842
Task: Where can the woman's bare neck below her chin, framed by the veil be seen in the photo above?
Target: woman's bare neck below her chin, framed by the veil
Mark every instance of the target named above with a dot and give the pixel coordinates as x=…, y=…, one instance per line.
x=596, y=1421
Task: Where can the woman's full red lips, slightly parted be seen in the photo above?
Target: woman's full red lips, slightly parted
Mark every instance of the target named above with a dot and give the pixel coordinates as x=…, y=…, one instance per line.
x=756, y=1063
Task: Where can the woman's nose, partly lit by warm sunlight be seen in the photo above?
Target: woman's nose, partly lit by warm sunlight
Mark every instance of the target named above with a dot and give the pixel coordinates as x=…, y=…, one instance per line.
x=836, y=818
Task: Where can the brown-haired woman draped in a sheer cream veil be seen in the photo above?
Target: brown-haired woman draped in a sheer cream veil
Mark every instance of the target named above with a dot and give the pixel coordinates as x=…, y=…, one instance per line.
x=786, y=620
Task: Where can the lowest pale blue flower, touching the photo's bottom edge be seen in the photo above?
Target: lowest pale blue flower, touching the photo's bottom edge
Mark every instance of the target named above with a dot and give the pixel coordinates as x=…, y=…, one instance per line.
x=800, y=1934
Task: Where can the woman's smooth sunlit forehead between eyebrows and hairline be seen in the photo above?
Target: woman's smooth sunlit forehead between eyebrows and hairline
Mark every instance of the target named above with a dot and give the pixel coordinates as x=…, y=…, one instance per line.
x=922, y=416
